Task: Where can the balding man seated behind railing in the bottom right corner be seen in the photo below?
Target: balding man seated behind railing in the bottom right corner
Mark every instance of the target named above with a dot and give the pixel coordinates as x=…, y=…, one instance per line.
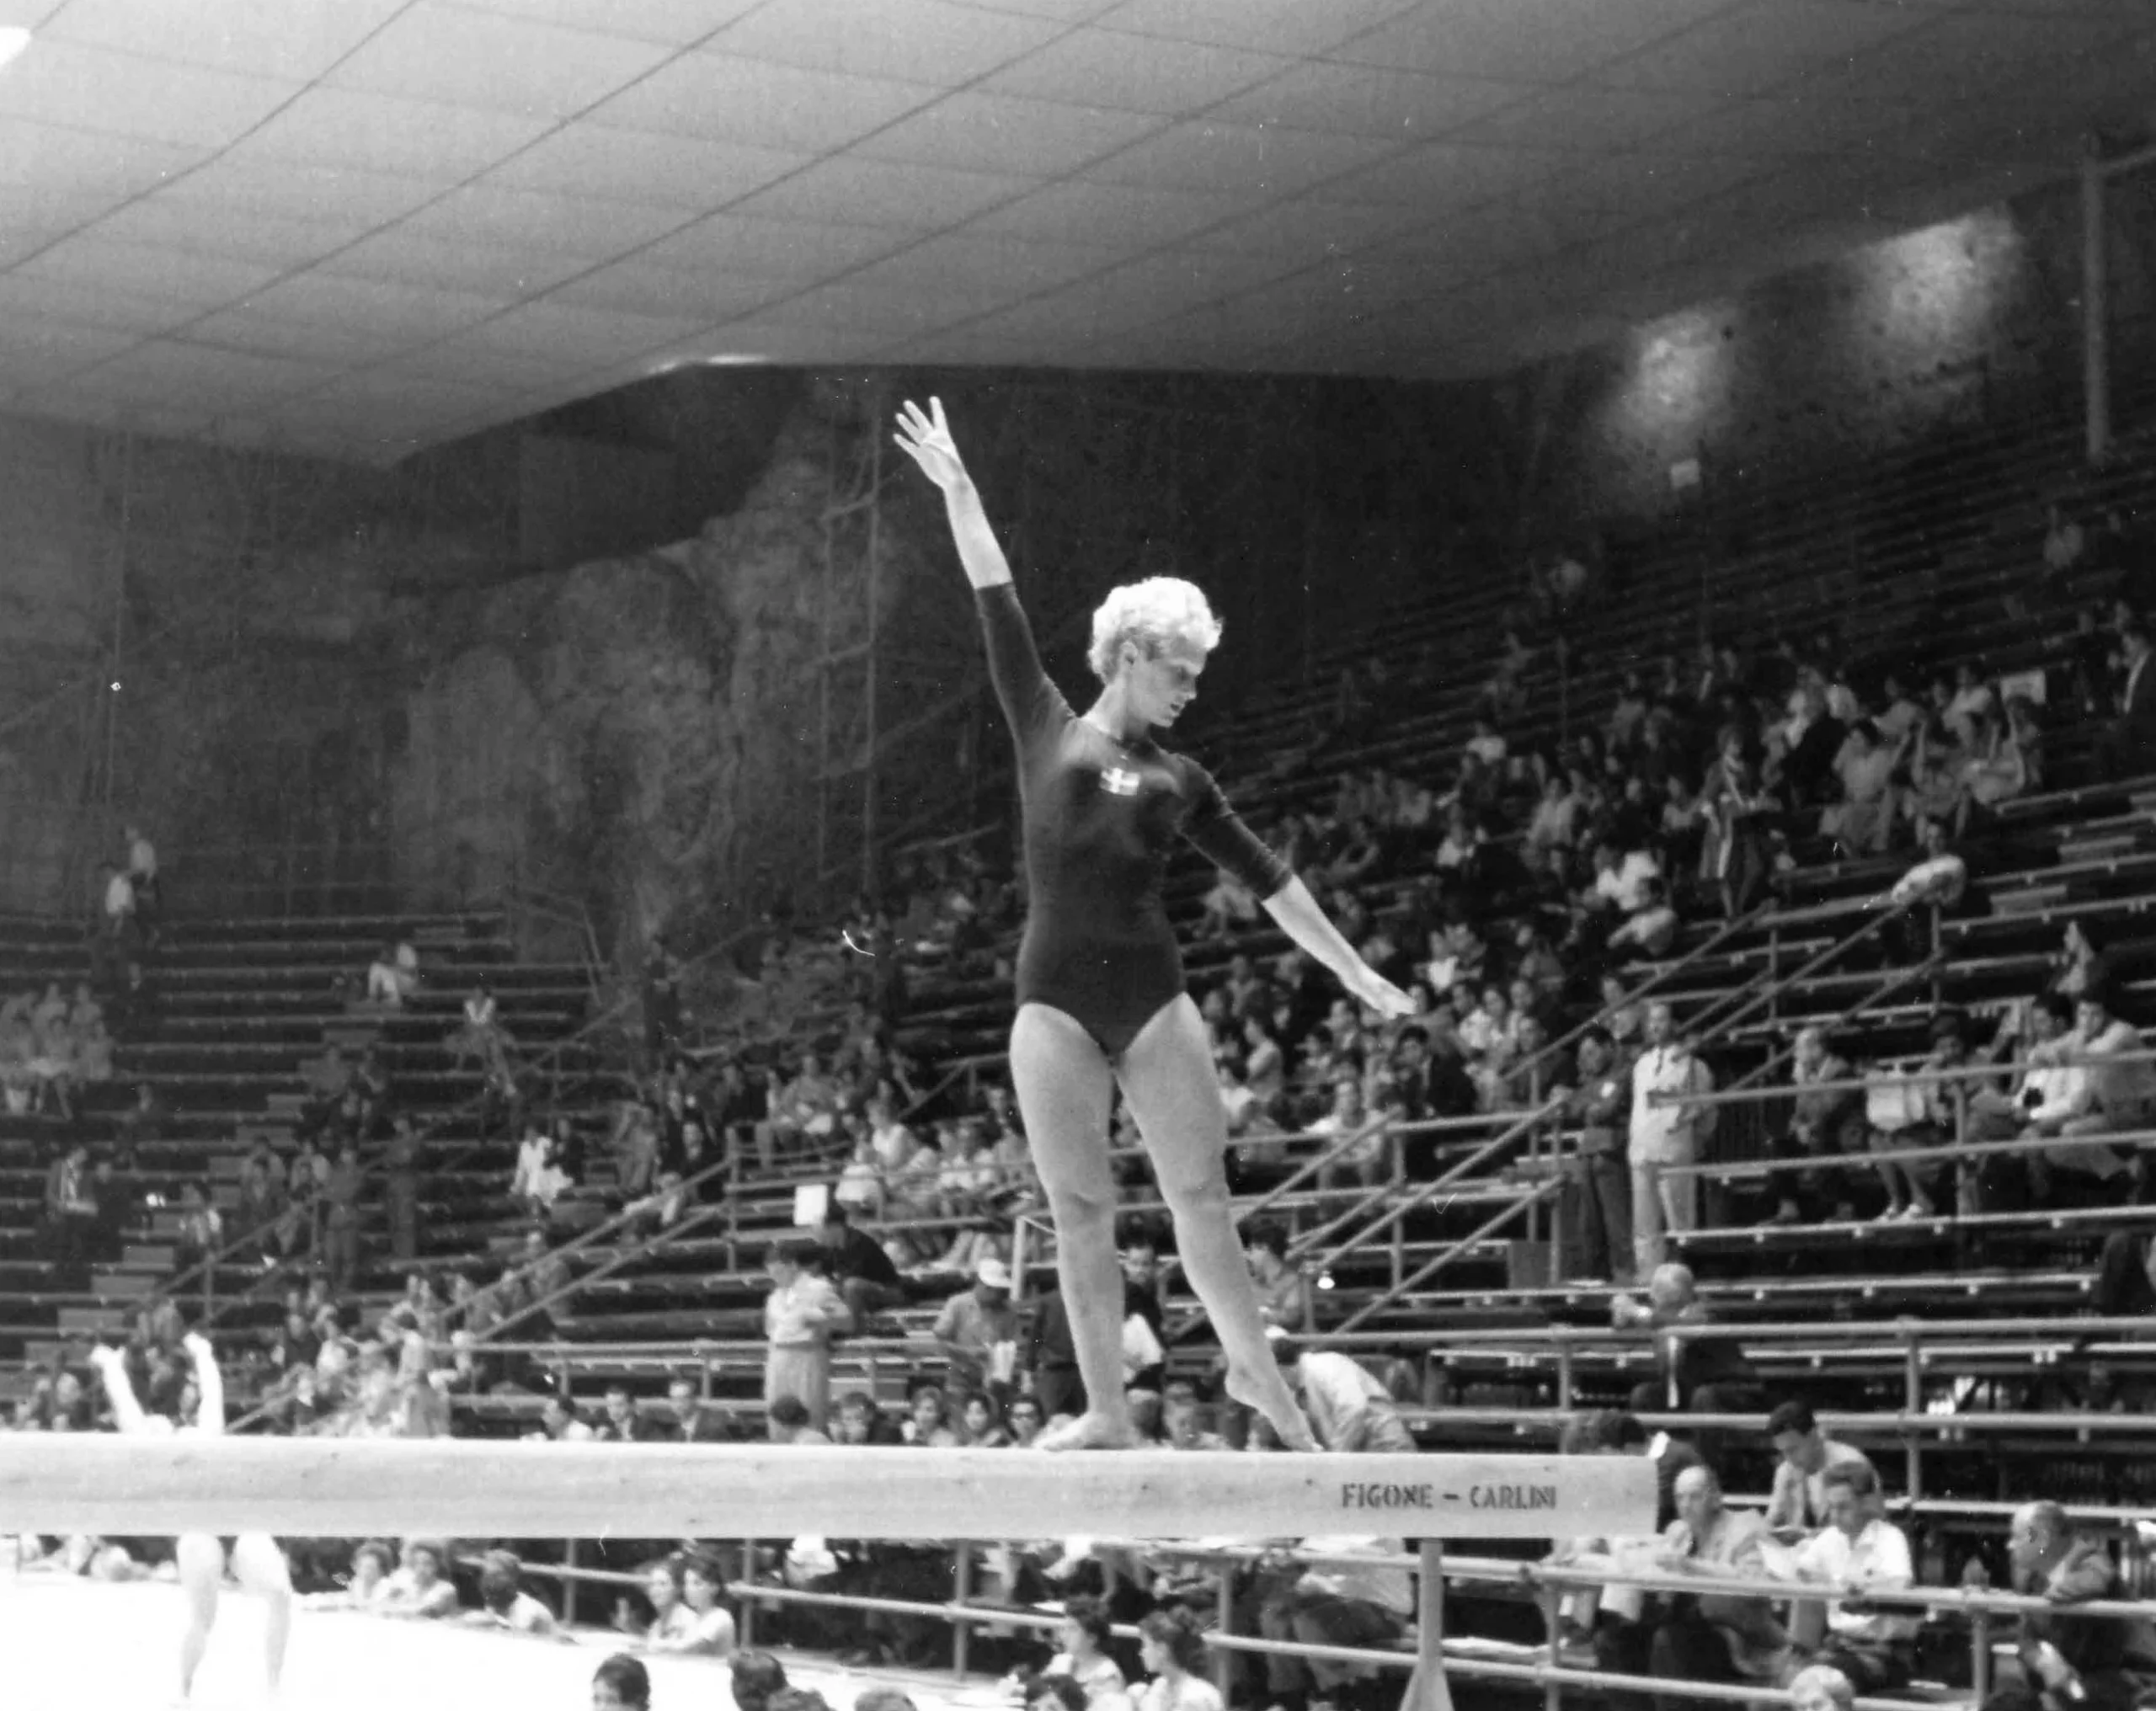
x=2099, y=1663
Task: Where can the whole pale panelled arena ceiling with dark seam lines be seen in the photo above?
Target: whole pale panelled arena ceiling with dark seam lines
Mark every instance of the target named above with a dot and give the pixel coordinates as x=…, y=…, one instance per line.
x=359, y=227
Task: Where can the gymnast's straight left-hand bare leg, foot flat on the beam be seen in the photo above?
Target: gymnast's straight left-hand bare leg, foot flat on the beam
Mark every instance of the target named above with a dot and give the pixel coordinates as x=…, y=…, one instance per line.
x=1064, y=1096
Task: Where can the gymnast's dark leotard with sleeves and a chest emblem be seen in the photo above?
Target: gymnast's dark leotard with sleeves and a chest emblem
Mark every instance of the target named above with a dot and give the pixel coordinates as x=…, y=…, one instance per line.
x=1101, y=822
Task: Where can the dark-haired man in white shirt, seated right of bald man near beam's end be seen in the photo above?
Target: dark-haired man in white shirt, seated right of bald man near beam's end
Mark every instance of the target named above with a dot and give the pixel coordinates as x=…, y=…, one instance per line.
x=1862, y=1553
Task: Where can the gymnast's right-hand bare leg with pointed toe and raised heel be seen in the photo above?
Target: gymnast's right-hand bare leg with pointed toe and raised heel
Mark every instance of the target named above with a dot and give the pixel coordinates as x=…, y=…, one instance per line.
x=1170, y=1081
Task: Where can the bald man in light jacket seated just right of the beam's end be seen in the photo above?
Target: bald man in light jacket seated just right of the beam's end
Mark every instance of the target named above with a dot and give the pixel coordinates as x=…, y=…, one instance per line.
x=1715, y=1637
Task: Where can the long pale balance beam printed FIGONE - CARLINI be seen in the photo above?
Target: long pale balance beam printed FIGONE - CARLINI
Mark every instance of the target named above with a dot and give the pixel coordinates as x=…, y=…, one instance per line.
x=344, y=1488
